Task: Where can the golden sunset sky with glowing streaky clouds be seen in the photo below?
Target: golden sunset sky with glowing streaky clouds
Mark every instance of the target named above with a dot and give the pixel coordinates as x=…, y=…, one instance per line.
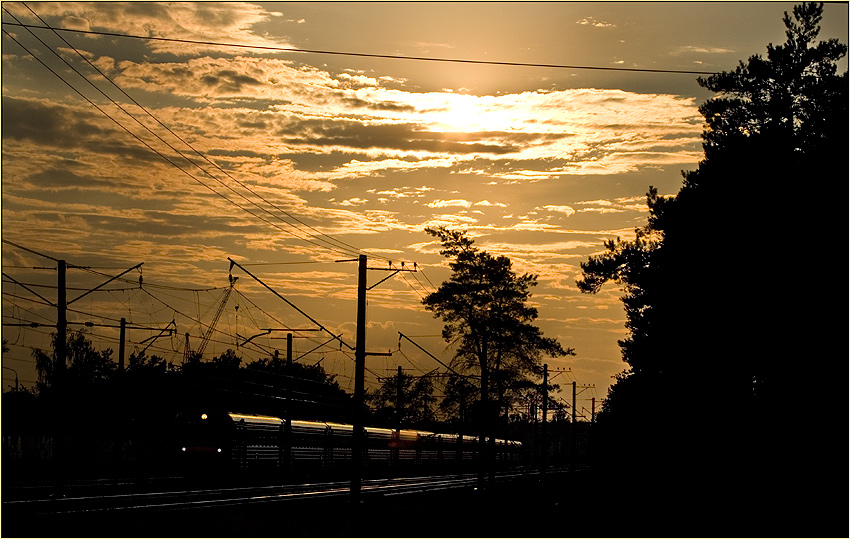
x=294, y=160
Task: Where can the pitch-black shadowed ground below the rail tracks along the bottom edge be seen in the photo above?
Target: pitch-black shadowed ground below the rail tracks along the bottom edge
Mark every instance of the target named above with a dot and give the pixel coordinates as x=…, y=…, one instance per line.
x=559, y=504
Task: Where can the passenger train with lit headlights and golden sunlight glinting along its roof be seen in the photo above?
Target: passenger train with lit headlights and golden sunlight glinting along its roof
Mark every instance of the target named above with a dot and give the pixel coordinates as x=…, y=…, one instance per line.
x=241, y=442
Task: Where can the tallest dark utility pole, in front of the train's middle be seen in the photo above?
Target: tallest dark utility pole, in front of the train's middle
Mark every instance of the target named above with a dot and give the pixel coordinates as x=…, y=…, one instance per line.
x=359, y=380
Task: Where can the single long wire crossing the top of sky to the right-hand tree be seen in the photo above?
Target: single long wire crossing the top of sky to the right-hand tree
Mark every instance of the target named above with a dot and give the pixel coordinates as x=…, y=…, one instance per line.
x=369, y=55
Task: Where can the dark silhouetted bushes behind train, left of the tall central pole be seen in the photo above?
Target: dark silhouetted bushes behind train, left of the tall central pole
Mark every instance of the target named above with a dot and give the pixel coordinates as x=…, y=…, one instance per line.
x=152, y=391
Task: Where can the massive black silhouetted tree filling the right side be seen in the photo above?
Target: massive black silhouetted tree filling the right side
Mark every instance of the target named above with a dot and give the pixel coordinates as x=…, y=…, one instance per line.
x=722, y=286
